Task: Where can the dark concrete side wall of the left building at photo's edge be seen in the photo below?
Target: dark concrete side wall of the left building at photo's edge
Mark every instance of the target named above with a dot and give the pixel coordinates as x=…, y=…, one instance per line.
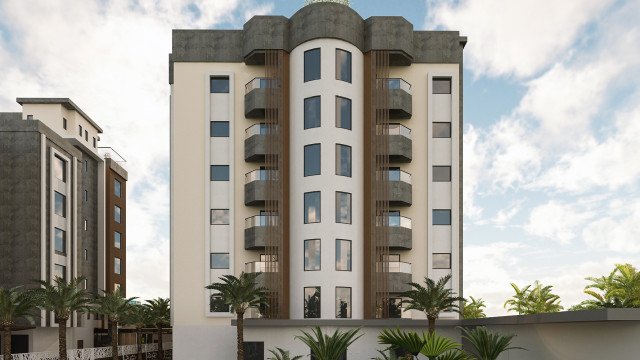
x=19, y=207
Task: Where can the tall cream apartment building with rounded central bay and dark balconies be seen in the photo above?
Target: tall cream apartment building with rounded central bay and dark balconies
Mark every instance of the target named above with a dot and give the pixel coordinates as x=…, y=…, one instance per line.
x=324, y=151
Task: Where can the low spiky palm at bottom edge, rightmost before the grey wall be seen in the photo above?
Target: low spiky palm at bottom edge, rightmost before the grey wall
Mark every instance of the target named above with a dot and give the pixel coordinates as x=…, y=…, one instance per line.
x=486, y=344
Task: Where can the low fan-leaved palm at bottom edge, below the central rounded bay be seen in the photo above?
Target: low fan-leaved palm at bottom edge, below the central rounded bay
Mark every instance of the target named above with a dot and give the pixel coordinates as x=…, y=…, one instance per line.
x=325, y=347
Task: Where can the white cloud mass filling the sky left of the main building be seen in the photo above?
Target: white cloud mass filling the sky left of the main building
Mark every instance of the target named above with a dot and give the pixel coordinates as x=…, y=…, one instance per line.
x=111, y=58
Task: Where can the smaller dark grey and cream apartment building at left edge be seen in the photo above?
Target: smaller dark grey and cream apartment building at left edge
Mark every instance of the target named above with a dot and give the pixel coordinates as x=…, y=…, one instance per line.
x=62, y=211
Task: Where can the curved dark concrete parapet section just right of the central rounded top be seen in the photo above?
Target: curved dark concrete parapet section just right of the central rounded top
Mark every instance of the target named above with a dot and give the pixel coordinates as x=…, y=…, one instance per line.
x=393, y=33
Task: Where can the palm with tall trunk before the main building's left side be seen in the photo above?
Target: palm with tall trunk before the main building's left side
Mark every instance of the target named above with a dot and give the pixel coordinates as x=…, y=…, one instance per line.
x=240, y=293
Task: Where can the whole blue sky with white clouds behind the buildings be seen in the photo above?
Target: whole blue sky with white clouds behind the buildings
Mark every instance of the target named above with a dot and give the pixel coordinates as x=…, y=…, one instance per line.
x=551, y=121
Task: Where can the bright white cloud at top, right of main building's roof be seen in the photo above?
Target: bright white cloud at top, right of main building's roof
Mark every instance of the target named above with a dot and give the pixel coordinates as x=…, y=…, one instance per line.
x=515, y=37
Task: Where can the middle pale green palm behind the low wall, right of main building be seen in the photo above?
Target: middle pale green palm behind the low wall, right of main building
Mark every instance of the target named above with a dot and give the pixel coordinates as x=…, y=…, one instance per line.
x=536, y=300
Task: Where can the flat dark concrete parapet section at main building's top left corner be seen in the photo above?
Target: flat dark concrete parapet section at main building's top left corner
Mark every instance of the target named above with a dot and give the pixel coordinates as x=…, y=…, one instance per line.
x=207, y=46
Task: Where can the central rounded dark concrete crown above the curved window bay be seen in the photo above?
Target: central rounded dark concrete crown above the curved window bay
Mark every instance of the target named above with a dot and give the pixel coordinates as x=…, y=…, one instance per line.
x=326, y=20
